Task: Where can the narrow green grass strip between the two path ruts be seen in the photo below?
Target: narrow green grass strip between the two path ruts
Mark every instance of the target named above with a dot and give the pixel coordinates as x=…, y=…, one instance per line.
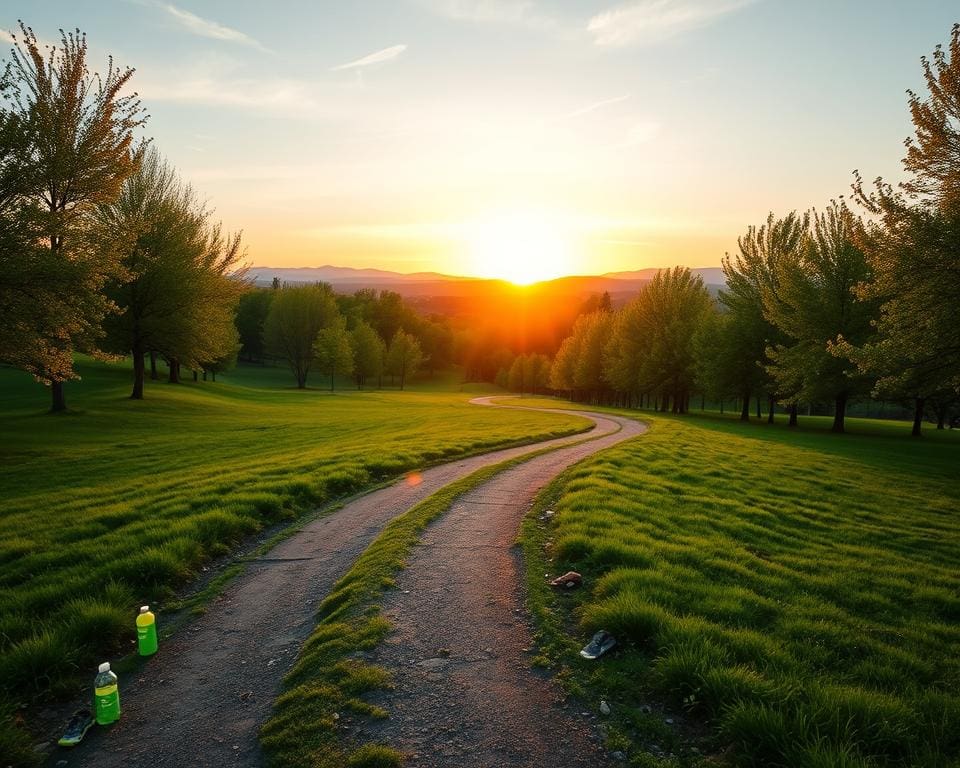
x=326, y=686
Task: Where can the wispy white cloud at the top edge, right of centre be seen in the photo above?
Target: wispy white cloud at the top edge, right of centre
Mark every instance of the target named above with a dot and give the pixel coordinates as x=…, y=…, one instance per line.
x=650, y=21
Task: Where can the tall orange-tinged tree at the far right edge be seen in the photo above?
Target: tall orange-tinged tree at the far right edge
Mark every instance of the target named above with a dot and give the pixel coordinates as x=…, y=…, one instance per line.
x=913, y=249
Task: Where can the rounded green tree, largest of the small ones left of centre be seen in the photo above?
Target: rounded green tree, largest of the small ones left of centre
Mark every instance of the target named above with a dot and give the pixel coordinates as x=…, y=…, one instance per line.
x=297, y=313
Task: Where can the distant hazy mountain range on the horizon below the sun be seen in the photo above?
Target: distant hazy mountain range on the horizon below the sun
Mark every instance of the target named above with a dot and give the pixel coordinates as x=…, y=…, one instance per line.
x=620, y=285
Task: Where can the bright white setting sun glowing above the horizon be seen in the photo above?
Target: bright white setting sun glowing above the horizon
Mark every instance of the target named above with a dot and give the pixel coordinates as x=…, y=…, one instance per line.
x=522, y=245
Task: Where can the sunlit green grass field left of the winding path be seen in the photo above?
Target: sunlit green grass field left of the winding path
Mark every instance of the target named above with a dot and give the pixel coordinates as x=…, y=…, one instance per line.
x=120, y=502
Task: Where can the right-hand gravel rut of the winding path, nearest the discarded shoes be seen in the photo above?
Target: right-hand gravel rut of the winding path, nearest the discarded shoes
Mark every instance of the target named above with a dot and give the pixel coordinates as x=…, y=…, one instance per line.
x=465, y=694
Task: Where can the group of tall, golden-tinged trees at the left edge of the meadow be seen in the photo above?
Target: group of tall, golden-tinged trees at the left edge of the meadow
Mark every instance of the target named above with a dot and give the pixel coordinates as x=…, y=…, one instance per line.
x=103, y=248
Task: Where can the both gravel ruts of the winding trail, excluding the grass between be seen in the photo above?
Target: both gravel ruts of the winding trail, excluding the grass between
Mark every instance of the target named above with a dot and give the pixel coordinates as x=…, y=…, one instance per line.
x=202, y=700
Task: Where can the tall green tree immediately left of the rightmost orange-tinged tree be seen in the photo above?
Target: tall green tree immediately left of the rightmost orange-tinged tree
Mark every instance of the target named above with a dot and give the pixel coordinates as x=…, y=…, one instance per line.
x=813, y=305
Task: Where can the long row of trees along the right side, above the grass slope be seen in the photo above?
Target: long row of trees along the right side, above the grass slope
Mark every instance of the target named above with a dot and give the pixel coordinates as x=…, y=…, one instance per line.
x=830, y=305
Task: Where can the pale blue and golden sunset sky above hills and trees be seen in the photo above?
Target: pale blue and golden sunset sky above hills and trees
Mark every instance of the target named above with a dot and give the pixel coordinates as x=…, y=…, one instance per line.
x=518, y=139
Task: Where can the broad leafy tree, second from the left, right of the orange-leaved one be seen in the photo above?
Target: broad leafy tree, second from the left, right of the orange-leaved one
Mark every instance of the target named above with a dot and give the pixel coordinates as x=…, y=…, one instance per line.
x=181, y=276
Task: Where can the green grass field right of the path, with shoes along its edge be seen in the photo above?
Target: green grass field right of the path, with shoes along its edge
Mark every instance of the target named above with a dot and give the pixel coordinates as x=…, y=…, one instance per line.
x=784, y=598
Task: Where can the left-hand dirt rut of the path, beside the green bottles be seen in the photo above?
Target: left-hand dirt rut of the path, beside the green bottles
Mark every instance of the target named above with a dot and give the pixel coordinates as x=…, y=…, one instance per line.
x=201, y=701
